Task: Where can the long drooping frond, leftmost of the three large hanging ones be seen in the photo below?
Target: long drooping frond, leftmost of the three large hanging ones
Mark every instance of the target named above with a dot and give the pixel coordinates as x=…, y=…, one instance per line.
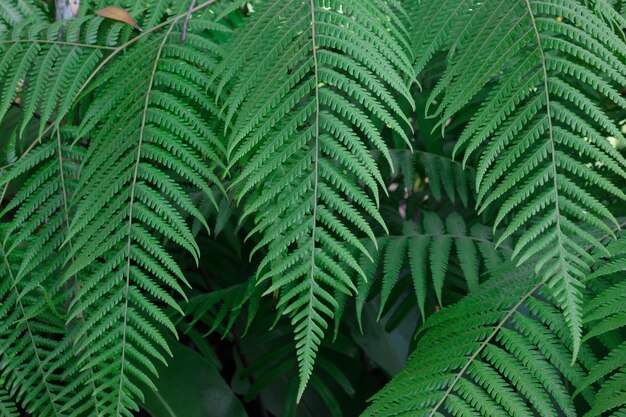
x=150, y=137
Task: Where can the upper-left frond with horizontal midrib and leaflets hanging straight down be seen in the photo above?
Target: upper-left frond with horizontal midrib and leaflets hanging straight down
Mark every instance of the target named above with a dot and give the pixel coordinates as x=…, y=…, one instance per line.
x=47, y=69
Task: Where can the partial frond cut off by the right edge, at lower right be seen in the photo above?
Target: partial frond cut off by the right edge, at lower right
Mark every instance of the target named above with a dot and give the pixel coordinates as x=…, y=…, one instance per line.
x=605, y=319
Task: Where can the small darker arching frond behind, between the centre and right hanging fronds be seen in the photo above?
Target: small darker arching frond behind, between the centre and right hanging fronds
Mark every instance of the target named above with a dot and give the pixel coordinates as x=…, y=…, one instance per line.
x=426, y=250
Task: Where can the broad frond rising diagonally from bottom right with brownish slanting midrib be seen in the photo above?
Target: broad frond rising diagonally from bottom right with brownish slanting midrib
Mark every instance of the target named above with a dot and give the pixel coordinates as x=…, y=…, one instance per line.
x=503, y=351
